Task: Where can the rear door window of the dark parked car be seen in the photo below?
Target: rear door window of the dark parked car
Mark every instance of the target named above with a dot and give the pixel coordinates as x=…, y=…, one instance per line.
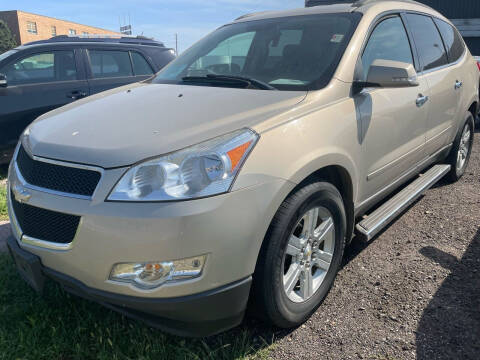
x=106, y=63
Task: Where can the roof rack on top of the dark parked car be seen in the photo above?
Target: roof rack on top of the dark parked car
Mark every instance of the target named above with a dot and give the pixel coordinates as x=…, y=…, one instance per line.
x=121, y=39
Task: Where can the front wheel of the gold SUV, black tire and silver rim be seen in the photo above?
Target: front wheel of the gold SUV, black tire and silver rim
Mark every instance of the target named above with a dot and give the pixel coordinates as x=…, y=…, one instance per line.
x=301, y=255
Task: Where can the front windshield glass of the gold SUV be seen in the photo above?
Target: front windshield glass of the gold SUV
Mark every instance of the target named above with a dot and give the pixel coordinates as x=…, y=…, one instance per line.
x=288, y=53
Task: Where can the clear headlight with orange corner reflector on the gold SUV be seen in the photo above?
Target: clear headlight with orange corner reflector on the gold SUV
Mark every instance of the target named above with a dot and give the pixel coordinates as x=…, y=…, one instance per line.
x=202, y=170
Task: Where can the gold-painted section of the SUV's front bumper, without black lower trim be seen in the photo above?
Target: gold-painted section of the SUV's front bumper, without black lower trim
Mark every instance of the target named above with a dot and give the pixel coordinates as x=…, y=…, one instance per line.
x=228, y=229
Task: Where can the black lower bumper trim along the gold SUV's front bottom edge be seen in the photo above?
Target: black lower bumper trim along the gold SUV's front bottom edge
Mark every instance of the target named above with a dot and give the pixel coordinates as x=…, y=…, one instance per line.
x=198, y=315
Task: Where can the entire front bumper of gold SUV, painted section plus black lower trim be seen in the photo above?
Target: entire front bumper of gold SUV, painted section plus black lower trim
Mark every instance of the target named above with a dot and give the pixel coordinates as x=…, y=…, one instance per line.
x=228, y=229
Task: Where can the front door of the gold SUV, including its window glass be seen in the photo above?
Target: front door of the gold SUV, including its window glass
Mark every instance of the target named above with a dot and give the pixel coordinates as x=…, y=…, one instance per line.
x=393, y=122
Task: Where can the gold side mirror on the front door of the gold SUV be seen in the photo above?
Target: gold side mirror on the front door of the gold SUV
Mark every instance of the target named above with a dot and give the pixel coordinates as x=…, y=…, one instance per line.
x=390, y=74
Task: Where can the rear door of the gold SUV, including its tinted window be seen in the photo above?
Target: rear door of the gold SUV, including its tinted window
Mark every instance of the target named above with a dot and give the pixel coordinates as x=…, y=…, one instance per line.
x=443, y=80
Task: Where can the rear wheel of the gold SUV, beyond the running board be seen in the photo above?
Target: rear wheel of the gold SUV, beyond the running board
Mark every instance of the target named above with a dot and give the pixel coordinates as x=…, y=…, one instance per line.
x=459, y=156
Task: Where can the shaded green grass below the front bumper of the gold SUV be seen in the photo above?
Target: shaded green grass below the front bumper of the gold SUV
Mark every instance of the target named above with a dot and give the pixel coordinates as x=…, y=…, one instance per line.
x=57, y=325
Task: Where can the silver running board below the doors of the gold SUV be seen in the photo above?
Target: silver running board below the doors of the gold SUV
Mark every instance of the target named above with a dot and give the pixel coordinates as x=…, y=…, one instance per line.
x=381, y=217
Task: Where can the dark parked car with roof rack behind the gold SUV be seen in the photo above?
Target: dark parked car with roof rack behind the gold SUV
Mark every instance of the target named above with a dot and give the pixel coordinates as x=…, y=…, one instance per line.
x=41, y=76
